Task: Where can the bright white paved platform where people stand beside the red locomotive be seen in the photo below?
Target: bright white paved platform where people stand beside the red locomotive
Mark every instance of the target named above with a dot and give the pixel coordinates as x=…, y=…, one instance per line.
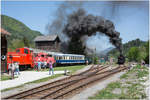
x=25, y=77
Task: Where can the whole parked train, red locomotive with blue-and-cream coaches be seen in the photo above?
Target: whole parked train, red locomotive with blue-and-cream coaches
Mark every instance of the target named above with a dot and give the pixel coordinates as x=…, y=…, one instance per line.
x=27, y=57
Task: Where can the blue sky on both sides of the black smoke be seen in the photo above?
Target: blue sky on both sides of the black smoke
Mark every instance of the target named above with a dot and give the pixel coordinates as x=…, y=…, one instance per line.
x=130, y=19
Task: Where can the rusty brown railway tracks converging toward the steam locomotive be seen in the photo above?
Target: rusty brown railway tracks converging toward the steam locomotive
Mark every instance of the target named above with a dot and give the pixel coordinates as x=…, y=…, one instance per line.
x=61, y=88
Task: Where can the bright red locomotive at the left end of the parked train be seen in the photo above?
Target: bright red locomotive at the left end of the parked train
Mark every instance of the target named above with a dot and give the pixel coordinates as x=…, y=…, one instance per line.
x=26, y=57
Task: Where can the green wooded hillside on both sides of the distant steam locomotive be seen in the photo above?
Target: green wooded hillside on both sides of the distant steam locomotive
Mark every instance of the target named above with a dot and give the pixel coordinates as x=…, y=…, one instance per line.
x=135, y=49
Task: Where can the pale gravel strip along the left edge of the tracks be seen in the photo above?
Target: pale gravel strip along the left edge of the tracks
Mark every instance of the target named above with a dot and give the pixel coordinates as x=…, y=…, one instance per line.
x=32, y=85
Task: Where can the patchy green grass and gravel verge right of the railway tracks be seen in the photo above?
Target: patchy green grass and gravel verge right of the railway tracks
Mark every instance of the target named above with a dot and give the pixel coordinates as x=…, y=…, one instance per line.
x=134, y=91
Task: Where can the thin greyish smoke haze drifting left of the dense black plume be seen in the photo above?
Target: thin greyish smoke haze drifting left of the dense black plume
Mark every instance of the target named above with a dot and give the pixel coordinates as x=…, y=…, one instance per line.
x=60, y=19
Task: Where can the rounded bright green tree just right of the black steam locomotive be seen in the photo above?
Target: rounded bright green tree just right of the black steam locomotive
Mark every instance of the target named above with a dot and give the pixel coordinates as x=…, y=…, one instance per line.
x=134, y=54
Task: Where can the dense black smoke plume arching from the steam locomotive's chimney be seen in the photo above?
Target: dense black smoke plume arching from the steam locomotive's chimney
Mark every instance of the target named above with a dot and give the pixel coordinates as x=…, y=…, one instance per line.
x=80, y=24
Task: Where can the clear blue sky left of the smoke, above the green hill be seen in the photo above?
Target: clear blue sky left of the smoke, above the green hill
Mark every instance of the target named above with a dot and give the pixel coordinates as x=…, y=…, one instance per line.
x=33, y=14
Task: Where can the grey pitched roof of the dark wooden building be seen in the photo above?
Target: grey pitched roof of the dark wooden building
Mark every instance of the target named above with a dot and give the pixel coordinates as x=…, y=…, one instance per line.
x=46, y=38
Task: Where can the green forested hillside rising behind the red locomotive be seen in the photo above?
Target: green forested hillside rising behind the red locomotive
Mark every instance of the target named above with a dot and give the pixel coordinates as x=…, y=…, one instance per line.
x=21, y=35
